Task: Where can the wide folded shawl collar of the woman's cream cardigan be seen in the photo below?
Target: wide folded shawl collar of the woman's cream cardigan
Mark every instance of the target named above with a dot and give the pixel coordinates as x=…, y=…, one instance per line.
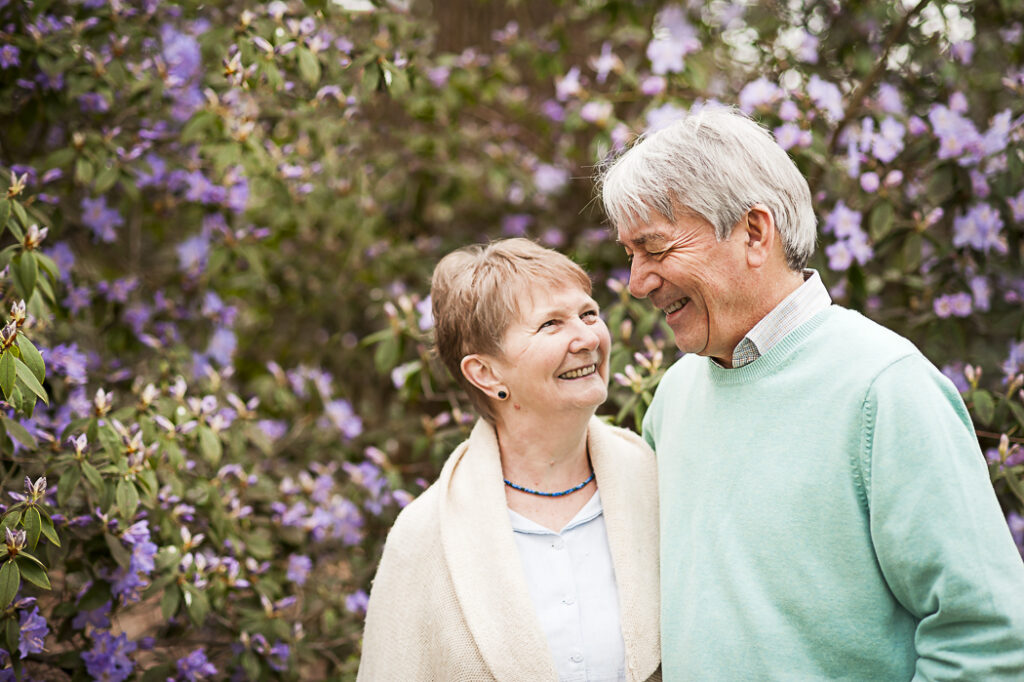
x=487, y=571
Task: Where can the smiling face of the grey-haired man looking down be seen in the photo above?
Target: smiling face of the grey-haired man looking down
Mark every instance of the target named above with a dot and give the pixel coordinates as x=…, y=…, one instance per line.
x=699, y=282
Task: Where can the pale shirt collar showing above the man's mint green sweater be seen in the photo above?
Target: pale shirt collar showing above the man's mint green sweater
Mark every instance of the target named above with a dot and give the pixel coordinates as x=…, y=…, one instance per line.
x=809, y=300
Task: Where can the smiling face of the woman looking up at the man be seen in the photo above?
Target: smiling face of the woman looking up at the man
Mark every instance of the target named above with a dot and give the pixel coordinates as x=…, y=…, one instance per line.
x=557, y=355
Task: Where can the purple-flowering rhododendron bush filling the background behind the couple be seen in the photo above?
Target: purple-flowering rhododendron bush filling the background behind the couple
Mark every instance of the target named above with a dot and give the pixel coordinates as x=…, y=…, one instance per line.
x=220, y=225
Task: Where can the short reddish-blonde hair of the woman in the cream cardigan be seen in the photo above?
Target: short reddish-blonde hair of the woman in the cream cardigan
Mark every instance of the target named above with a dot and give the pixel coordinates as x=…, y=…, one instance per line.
x=476, y=295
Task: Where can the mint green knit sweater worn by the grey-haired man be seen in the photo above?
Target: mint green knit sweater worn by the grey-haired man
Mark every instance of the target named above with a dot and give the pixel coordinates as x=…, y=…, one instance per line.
x=827, y=515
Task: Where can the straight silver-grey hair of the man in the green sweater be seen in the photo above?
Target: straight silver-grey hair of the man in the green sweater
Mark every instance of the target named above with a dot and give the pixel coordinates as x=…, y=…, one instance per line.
x=716, y=164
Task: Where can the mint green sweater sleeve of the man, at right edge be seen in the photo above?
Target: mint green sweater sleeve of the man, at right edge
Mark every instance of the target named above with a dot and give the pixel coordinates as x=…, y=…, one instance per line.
x=942, y=541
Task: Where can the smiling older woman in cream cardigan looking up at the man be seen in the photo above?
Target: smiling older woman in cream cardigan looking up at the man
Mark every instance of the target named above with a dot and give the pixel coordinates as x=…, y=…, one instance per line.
x=535, y=555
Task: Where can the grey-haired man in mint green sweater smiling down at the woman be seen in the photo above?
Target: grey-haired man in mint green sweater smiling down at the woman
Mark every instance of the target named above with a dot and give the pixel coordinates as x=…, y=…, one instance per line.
x=826, y=510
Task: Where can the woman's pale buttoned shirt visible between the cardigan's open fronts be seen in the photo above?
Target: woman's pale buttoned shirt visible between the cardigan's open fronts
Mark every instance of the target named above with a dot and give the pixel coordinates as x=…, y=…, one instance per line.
x=573, y=586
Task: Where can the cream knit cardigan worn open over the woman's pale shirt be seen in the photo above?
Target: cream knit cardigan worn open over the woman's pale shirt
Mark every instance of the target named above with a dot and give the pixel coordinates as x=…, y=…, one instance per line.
x=450, y=602
